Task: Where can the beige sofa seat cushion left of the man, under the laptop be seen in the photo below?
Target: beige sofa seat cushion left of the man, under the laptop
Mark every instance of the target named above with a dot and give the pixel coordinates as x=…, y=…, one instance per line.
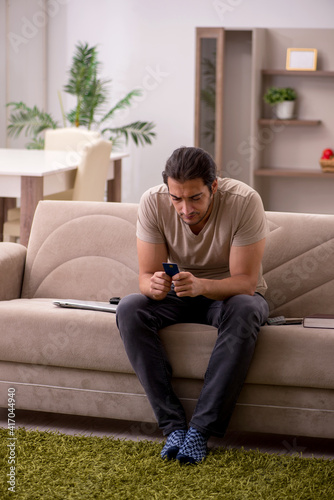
x=38, y=332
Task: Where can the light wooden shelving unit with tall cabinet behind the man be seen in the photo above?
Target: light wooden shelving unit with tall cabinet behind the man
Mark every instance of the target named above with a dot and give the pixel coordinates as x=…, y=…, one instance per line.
x=279, y=158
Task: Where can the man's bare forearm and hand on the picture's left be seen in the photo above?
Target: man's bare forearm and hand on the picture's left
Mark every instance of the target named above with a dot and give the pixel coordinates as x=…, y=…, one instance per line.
x=152, y=282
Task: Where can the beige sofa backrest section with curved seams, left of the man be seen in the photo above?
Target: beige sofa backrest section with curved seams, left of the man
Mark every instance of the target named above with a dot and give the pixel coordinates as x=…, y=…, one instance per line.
x=82, y=250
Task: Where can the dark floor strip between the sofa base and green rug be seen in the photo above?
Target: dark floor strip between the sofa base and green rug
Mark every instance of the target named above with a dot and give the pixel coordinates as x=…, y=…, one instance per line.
x=71, y=424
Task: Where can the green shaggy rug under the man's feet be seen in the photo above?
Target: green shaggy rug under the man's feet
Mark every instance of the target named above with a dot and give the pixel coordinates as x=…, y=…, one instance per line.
x=49, y=466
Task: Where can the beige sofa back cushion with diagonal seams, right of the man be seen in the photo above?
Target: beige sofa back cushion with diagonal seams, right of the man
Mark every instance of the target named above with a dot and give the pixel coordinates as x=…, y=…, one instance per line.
x=298, y=264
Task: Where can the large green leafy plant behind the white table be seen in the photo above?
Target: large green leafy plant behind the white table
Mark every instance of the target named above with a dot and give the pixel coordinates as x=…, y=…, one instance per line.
x=92, y=96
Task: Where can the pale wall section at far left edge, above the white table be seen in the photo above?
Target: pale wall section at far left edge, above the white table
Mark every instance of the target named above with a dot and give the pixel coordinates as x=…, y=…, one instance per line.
x=22, y=56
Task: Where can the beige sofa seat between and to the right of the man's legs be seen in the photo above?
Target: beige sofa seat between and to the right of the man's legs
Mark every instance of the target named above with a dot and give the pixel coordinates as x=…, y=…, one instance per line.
x=284, y=355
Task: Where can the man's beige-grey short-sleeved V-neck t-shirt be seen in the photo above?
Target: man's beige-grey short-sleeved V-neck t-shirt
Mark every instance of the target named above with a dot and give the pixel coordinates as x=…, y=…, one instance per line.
x=237, y=218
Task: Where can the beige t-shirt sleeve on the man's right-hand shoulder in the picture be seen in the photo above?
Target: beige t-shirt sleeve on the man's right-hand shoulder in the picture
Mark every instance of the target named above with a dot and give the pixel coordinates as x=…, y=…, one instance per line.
x=252, y=226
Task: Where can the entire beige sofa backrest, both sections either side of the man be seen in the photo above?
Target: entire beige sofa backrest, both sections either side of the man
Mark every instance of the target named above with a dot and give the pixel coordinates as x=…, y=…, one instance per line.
x=87, y=250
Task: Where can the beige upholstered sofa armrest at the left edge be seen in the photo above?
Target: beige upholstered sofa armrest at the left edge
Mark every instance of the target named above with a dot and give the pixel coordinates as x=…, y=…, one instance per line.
x=12, y=261
